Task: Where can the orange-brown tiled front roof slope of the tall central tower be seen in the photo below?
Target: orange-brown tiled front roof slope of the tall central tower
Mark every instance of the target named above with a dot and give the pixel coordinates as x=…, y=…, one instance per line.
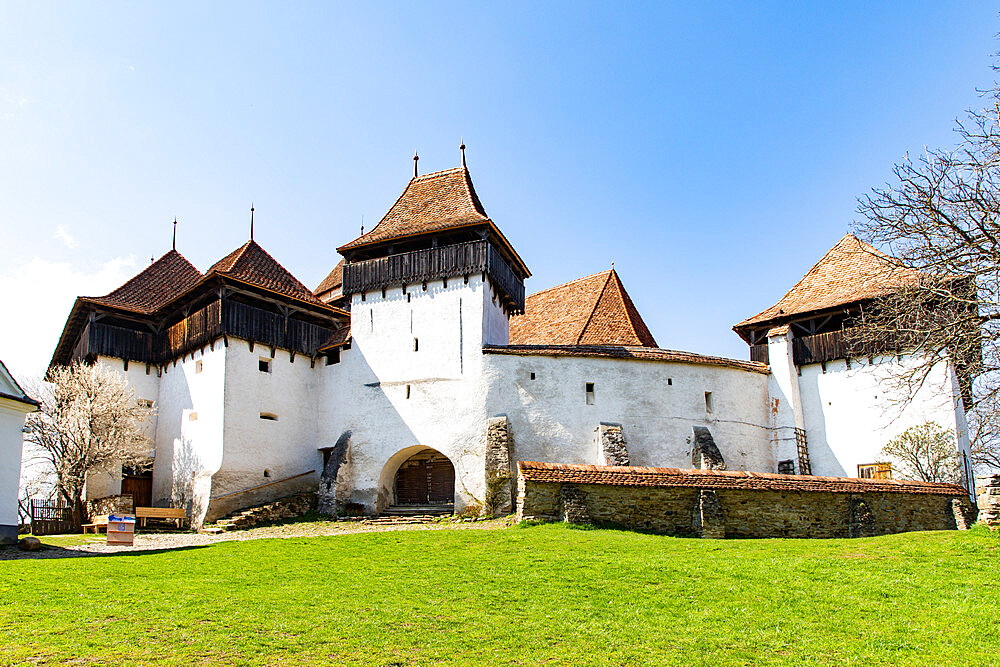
x=432, y=202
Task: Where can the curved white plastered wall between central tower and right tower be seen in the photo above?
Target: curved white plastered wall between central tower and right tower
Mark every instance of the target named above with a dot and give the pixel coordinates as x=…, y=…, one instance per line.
x=657, y=403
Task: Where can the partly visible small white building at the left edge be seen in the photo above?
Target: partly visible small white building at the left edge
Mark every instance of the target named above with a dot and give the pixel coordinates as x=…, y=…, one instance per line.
x=14, y=405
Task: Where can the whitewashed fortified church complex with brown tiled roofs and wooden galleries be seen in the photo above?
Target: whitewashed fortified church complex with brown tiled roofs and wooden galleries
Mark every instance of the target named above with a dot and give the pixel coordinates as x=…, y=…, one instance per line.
x=394, y=381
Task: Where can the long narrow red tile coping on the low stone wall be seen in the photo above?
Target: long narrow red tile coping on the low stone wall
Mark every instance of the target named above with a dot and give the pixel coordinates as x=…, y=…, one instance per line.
x=722, y=479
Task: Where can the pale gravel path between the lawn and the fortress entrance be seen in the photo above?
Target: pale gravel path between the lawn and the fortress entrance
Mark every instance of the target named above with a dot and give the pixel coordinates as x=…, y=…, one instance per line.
x=164, y=541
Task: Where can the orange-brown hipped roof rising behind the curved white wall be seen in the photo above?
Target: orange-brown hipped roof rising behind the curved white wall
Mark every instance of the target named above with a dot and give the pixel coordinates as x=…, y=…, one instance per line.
x=595, y=310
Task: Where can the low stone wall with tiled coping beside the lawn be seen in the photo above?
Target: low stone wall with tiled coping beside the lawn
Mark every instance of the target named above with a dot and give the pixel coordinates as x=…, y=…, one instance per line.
x=735, y=504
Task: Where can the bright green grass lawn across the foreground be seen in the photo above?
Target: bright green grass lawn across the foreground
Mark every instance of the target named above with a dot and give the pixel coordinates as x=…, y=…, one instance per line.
x=525, y=595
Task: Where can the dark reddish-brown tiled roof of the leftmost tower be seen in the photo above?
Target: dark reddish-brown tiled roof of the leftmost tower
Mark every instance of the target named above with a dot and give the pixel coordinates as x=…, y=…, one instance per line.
x=161, y=281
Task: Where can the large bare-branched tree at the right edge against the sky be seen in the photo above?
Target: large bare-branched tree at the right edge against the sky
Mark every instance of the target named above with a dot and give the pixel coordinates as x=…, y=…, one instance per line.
x=939, y=222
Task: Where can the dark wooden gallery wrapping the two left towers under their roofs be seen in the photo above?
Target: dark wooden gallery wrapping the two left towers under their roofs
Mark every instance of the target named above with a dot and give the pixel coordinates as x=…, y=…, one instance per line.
x=219, y=318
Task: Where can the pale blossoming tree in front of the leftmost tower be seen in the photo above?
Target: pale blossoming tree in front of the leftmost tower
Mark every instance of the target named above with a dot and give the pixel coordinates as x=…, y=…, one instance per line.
x=89, y=422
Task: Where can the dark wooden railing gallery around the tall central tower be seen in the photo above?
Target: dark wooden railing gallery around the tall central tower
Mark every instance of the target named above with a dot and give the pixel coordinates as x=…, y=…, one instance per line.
x=436, y=263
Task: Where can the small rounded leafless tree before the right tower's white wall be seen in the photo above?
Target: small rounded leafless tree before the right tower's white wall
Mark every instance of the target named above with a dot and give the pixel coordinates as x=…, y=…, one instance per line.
x=927, y=452
